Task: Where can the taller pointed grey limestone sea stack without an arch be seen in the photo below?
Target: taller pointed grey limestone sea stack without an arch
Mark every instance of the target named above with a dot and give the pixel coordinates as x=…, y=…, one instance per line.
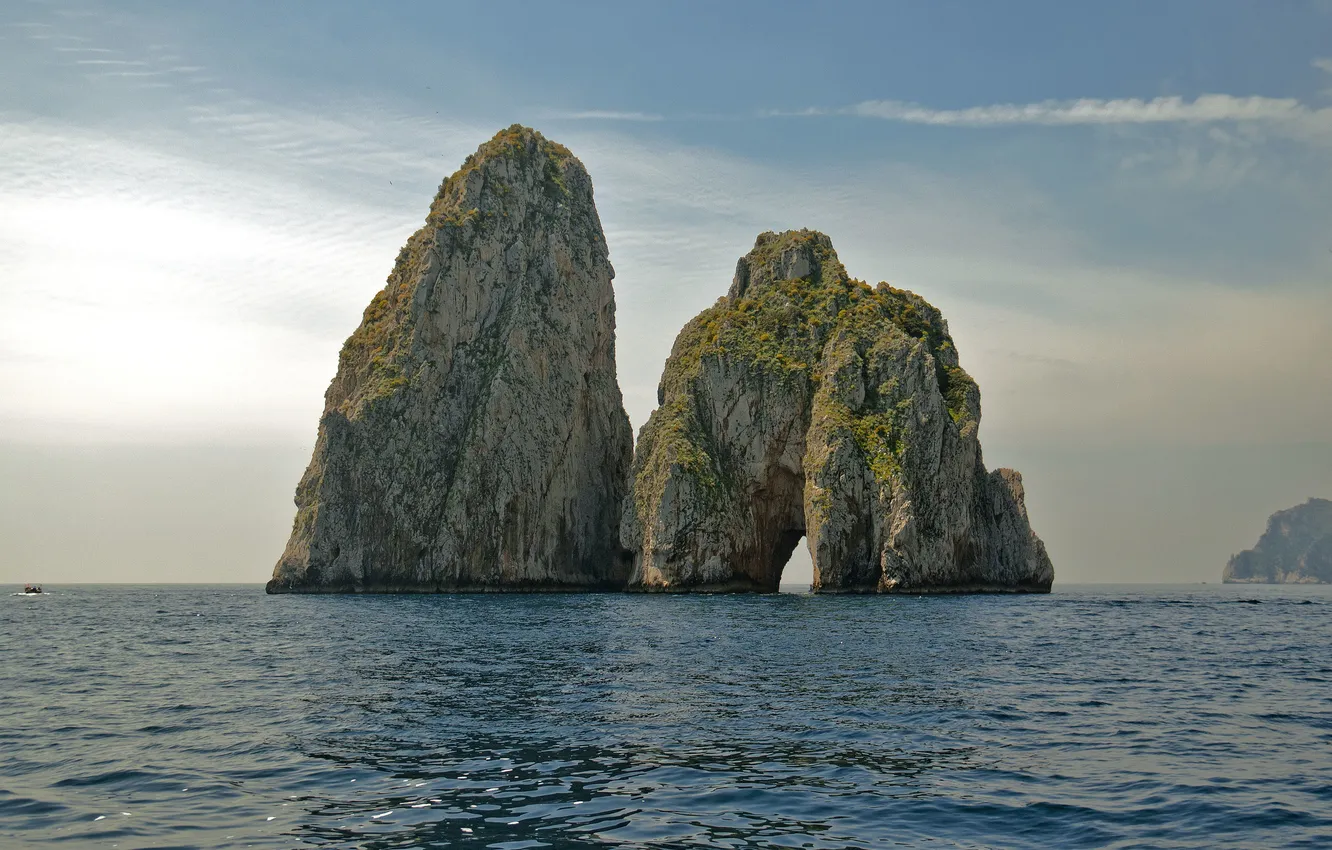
x=475, y=436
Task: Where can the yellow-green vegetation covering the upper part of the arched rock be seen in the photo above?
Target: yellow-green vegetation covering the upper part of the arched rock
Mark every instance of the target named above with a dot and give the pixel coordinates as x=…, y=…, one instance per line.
x=781, y=328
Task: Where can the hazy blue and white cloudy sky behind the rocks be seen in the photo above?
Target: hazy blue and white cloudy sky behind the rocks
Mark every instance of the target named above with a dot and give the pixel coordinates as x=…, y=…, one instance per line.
x=1124, y=211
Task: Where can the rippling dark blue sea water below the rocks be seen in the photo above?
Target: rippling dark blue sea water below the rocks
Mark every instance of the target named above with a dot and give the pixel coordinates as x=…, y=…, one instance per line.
x=1096, y=717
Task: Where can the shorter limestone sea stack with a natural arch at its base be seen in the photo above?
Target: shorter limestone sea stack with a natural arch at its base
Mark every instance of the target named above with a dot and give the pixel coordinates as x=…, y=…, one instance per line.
x=807, y=403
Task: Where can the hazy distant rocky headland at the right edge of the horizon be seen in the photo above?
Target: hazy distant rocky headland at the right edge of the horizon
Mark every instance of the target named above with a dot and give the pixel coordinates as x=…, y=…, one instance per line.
x=1297, y=548
